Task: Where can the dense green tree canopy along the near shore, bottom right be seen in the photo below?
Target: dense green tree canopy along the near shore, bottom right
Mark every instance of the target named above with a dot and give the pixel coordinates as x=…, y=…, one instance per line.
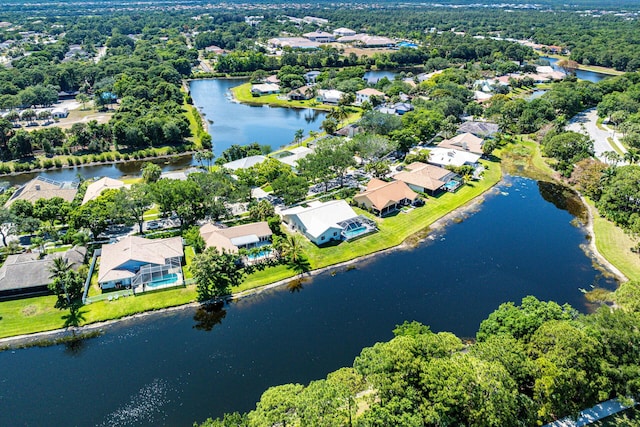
x=531, y=363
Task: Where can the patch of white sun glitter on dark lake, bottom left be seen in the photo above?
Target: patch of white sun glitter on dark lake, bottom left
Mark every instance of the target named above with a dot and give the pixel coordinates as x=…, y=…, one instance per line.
x=143, y=407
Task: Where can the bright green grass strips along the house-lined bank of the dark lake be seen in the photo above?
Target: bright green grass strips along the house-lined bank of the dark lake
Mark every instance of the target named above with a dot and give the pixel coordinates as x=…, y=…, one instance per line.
x=22, y=317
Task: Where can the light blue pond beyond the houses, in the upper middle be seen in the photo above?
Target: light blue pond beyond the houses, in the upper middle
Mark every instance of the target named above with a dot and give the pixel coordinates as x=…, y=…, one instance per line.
x=233, y=123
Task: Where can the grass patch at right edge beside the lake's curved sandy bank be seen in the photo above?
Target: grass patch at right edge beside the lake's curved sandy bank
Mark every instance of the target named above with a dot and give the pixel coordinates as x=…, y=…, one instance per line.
x=615, y=245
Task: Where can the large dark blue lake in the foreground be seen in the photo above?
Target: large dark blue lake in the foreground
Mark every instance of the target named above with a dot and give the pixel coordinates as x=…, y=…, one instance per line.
x=168, y=369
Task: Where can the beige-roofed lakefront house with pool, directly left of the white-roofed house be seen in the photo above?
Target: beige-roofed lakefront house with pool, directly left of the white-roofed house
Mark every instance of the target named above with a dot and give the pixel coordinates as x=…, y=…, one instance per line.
x=232, y=239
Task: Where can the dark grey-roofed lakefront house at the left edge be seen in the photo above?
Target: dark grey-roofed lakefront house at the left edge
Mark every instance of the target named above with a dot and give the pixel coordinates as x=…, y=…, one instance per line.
x=28, y=275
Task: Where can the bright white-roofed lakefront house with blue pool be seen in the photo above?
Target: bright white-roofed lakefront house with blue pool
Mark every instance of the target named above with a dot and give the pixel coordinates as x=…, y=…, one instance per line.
x=323, y=222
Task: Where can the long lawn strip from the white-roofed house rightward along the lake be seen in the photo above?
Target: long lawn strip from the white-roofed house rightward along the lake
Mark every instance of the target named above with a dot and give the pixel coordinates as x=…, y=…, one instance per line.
x=396, y=229
